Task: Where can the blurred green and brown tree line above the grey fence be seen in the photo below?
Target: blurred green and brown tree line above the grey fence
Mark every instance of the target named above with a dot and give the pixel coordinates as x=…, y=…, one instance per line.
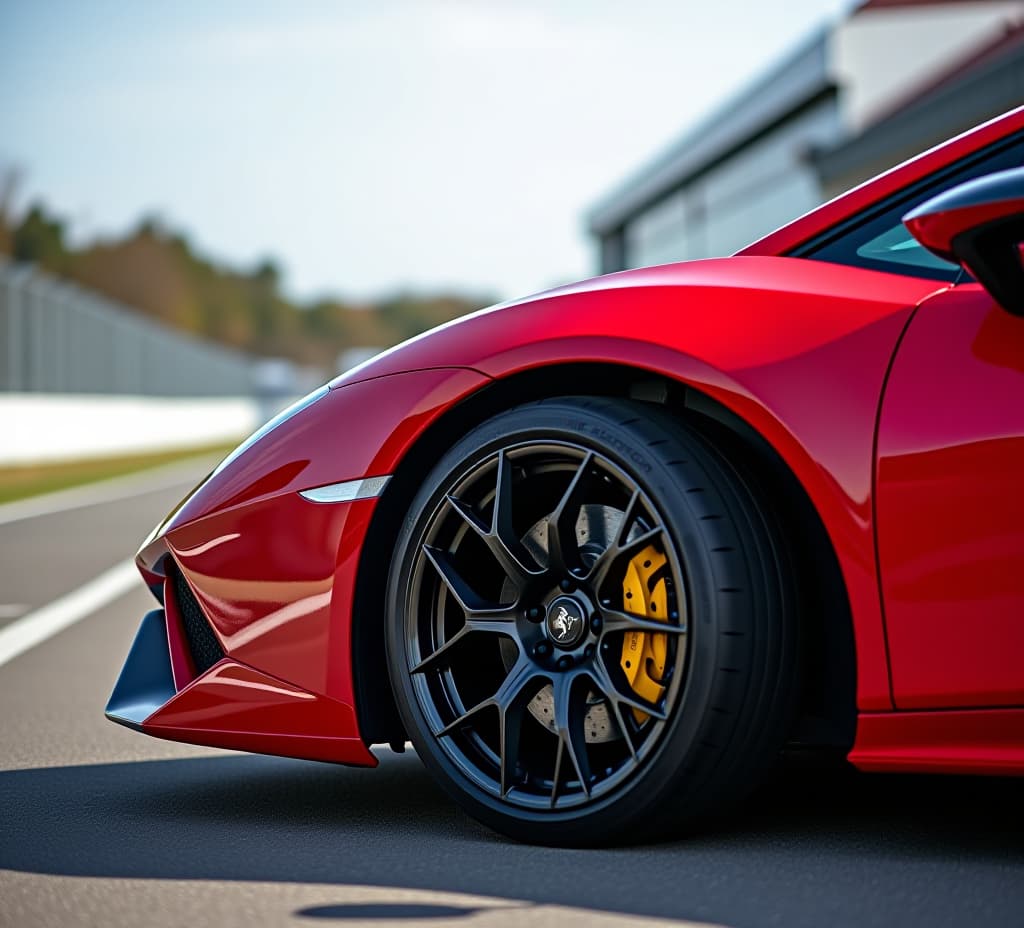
x=158, y=273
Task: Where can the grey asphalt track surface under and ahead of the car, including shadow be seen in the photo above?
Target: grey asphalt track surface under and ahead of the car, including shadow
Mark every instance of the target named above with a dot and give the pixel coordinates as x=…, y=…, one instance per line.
x=101, y=826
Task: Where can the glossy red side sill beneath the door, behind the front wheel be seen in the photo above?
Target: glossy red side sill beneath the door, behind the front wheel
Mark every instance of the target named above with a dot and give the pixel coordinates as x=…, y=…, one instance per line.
x=985, y=741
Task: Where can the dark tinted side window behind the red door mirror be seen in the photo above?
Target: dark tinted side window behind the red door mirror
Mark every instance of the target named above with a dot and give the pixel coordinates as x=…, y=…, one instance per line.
x=877, y=239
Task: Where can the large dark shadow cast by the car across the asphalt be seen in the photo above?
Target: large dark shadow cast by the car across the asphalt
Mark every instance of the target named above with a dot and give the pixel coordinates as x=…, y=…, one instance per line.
x=813, y=848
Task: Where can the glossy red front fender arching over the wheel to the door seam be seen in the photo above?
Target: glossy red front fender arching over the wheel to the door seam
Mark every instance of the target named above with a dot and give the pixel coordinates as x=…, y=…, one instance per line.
x=798, y=350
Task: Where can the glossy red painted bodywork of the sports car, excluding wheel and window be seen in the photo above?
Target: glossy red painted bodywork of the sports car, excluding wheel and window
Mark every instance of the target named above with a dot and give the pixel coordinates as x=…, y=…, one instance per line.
x=894, y=401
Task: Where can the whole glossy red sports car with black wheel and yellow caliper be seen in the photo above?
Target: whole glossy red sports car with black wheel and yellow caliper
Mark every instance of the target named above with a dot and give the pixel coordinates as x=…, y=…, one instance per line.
x=603, y=554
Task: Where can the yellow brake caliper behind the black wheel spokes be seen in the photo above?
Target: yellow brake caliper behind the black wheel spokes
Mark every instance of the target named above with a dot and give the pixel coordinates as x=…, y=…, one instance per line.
x=644, y=653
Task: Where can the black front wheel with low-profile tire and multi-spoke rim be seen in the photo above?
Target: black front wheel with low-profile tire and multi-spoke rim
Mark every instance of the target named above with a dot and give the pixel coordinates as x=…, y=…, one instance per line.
x=731, y=668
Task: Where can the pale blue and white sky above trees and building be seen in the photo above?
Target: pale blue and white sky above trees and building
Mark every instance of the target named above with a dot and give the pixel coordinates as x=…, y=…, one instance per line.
x=369, y=147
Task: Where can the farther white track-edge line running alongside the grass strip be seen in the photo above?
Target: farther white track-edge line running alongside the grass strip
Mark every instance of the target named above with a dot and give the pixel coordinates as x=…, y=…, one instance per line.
x=190, y=471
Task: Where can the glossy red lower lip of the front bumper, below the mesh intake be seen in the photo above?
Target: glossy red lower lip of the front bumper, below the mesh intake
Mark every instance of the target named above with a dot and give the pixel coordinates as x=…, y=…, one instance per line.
x=235, y=706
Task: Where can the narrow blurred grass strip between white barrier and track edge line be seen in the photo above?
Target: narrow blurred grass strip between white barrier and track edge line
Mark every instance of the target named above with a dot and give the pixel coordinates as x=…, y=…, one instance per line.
x=23, y=482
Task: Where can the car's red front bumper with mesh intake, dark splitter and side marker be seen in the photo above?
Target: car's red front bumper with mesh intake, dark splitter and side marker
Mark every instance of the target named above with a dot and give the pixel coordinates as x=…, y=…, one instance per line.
x=267, y=552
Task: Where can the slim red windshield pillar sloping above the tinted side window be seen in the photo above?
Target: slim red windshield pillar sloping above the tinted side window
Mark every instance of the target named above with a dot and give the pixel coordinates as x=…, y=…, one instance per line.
x=867, y=195
